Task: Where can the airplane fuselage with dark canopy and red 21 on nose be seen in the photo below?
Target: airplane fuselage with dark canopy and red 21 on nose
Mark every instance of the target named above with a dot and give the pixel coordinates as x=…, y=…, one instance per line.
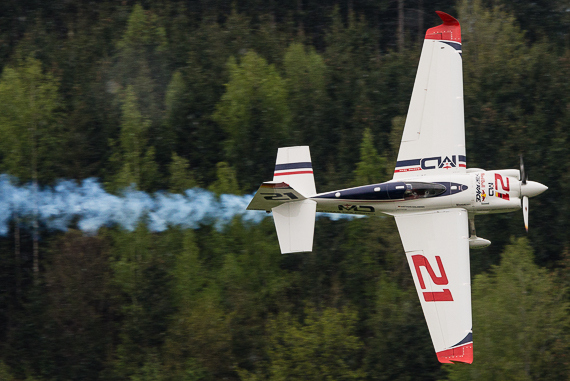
x=478, y=191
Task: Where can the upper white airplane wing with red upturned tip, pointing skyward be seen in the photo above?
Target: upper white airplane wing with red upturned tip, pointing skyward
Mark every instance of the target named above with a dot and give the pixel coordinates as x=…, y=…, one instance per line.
x=433, y=141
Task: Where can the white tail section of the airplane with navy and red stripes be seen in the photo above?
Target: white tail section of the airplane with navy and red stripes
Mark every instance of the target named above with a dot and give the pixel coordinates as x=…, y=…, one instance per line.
x=287, y=196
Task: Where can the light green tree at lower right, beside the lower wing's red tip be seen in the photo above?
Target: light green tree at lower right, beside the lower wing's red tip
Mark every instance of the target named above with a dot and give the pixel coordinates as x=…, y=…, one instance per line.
x=520, y=321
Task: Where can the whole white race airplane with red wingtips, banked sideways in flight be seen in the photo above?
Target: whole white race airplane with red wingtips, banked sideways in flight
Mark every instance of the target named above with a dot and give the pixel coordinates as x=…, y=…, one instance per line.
x=433, y=196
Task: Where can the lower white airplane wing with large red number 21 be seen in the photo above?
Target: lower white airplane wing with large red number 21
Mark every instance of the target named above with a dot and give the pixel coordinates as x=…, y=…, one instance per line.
x=437, y=248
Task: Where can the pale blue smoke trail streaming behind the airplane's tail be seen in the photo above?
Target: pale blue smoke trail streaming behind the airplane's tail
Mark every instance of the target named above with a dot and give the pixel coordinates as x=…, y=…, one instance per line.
x=89, y=206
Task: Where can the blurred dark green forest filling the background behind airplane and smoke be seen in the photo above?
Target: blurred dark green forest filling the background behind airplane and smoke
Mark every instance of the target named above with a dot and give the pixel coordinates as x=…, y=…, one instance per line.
x=171, y=95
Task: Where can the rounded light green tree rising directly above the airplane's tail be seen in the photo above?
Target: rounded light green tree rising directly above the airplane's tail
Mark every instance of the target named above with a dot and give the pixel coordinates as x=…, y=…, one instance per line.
x=254, y=114
